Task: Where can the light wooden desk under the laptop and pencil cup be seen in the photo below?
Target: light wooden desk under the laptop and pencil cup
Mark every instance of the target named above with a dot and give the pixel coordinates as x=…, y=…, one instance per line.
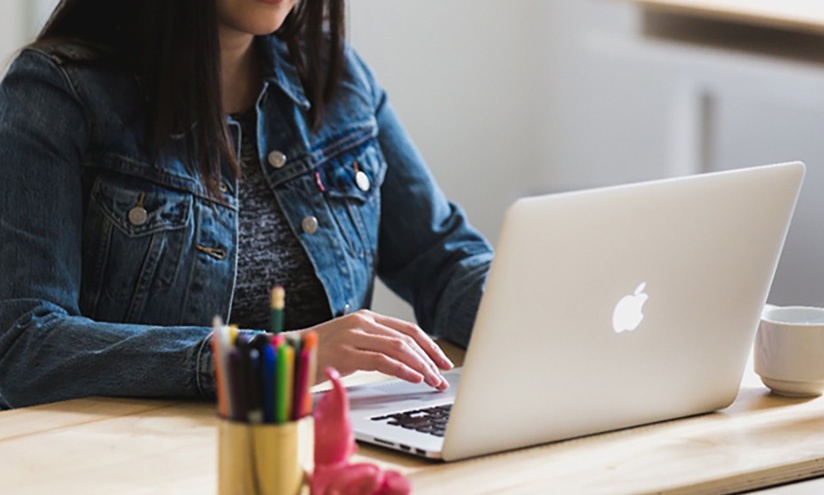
x=123, y=446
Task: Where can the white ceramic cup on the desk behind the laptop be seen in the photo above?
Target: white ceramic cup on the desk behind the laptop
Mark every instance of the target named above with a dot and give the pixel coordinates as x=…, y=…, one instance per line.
x=789, y=350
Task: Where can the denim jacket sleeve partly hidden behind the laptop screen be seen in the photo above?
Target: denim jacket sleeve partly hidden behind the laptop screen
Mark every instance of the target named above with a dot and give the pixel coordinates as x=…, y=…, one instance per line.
x=429, y=254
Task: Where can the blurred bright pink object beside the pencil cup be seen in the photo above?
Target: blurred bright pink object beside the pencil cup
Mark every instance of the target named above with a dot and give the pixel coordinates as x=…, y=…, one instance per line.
x=335, y=444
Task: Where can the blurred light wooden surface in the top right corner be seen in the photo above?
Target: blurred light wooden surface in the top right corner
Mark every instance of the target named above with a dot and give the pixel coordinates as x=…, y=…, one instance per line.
x=794, y=15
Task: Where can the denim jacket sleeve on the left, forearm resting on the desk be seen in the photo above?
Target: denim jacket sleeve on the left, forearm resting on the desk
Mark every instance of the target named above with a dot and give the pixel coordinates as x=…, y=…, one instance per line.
x=48, y=350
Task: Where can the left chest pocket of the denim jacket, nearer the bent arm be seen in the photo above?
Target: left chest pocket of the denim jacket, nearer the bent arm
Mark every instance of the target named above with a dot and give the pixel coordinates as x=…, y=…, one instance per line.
x=134, y=238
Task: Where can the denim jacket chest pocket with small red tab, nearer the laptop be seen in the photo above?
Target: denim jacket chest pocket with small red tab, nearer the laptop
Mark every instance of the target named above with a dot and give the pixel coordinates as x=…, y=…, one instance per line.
x=351, y=183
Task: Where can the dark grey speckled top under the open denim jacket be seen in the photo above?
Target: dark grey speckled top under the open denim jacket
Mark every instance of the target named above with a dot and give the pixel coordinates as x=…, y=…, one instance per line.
x=269, y=253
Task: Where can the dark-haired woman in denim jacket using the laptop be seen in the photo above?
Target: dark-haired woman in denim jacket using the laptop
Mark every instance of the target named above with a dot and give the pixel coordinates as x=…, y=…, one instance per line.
x=165, y=162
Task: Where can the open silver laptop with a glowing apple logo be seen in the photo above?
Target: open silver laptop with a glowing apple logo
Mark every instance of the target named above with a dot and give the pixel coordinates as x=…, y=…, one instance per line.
x=604, y=309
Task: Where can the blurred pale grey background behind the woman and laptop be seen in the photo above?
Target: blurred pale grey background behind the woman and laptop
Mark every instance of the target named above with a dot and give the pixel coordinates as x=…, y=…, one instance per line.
x=523, y=97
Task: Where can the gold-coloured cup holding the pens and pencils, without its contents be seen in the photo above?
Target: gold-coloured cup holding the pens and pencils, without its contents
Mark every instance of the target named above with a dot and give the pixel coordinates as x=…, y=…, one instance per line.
x=264, y=459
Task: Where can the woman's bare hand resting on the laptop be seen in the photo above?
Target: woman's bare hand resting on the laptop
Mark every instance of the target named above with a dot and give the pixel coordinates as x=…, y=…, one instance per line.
x=368, y=341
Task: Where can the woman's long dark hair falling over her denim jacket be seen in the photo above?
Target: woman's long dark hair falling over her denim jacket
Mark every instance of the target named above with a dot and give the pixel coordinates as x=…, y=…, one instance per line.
x=172, y=47
